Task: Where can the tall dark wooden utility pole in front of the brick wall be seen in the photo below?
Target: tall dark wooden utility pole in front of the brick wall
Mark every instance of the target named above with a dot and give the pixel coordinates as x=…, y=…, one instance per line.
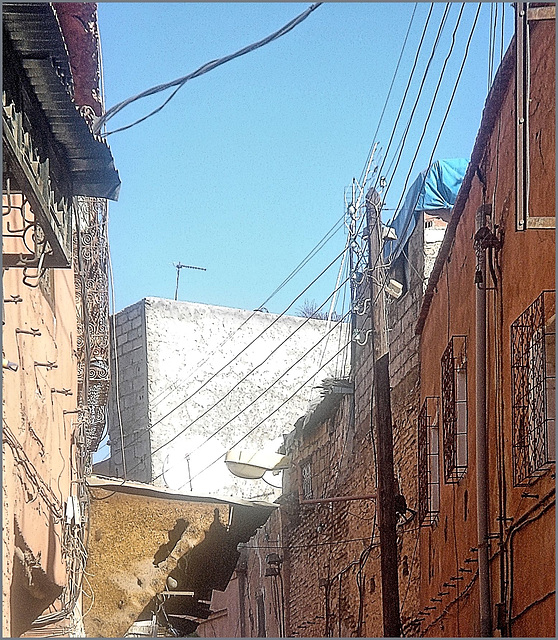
x=381, y=424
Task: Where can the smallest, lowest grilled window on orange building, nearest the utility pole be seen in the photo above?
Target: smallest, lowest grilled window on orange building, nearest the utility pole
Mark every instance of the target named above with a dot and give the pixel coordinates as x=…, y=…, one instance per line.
x=428, y=462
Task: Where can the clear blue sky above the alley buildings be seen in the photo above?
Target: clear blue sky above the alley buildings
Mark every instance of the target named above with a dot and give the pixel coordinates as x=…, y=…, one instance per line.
x=245, y=170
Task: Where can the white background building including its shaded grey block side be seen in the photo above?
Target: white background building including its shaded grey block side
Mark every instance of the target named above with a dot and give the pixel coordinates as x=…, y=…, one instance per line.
x=193, y=381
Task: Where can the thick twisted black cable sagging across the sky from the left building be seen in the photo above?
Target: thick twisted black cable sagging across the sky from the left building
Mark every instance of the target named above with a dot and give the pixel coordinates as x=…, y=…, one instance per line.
x=180, y=82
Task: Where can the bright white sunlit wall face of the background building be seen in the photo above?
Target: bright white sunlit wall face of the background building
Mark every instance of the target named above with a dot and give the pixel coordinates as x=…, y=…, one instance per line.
x=186, y=346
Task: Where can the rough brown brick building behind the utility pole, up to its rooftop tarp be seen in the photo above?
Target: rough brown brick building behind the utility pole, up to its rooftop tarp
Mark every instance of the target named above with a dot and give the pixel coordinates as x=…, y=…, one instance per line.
x=314, y=568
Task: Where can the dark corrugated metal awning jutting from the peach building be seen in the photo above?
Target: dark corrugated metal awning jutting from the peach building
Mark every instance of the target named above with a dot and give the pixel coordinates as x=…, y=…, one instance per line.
x=35, y=33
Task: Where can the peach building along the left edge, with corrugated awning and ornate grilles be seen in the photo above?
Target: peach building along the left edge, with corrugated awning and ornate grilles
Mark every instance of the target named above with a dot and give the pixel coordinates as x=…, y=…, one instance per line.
x=57, y=178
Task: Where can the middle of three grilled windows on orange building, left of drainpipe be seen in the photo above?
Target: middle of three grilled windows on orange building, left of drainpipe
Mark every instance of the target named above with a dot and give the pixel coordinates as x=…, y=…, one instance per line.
x=454, y=409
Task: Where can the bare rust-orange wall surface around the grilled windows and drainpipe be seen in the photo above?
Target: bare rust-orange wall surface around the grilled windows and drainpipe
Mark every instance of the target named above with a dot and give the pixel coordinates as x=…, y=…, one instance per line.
x=526, y=268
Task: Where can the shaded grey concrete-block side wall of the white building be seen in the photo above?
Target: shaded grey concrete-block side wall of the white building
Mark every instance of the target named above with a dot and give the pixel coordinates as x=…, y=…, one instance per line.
x=130, y=367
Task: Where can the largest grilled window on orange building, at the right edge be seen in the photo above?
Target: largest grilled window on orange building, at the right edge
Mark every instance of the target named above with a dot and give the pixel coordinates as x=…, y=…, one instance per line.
x=533, y=350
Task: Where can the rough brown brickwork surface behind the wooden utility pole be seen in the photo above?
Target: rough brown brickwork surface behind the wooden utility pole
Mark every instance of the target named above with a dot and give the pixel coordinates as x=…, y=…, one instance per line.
x=330, y=551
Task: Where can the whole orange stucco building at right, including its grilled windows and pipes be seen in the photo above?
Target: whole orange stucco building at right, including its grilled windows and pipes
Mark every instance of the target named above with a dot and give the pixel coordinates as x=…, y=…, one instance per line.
x=486, y=426
